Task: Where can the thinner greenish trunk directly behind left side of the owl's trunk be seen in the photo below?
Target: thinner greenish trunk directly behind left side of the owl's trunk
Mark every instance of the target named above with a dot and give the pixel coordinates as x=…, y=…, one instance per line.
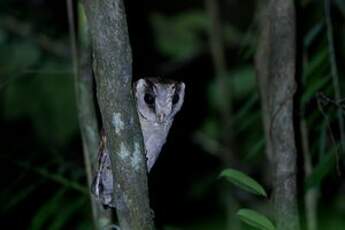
x=88, y=119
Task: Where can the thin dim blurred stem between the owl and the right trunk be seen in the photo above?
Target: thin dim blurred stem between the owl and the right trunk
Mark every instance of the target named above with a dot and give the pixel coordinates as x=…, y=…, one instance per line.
x=218, y=56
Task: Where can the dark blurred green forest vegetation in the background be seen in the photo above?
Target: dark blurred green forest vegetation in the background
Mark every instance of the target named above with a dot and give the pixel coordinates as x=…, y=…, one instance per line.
x=43, y=179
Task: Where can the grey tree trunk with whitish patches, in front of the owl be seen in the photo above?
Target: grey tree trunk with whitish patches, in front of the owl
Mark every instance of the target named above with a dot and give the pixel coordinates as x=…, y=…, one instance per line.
x=112, y=65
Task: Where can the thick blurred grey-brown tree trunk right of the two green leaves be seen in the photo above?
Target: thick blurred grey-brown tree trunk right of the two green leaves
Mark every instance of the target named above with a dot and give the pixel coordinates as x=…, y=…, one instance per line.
x=276, y=66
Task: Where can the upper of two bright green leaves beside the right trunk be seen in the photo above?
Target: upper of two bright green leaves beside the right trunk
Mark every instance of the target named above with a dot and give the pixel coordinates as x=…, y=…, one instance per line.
x=243, y=181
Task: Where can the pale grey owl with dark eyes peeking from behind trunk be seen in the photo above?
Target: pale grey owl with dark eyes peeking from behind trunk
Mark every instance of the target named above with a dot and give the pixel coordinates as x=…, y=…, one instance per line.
x=157, y=101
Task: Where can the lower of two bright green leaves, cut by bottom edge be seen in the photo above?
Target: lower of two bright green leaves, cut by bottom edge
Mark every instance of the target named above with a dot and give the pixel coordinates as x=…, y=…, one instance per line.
x=255, y=219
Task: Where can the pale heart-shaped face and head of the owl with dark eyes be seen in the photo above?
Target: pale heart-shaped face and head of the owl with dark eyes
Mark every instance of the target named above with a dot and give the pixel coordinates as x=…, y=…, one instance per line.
x=158, y=100
